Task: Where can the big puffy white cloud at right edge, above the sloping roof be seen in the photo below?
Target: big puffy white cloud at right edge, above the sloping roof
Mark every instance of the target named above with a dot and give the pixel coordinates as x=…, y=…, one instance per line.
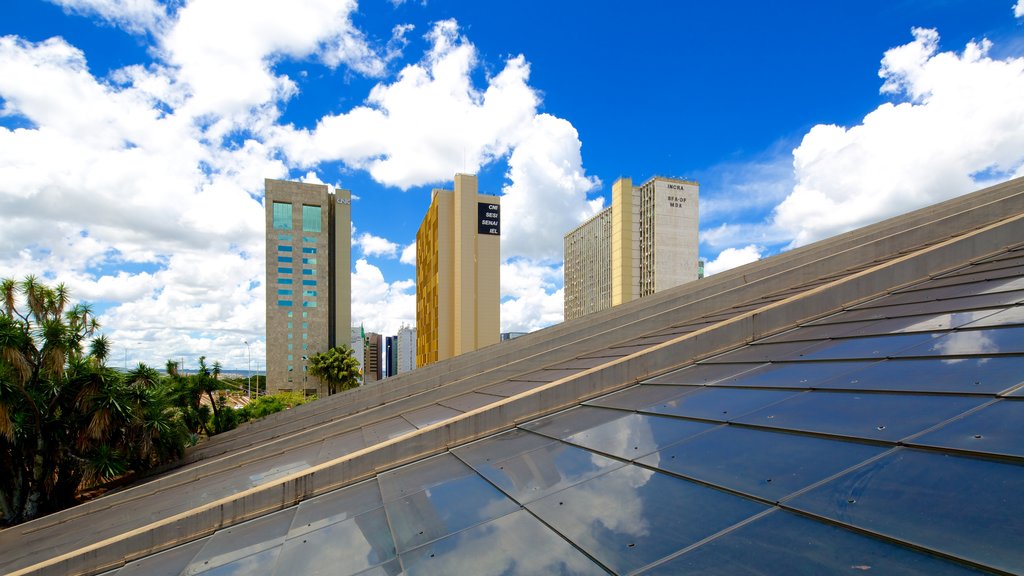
x=960, y=129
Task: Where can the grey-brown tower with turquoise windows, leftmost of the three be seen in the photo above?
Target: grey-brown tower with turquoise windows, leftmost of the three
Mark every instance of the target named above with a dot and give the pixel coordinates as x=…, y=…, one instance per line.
x=309, y=280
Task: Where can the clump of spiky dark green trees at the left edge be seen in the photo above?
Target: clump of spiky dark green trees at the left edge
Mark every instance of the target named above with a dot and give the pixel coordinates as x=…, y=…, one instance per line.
x=67, y=421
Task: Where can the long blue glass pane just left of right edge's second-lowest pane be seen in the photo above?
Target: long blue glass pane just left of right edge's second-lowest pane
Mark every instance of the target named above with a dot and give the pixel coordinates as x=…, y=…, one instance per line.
x=879, y=417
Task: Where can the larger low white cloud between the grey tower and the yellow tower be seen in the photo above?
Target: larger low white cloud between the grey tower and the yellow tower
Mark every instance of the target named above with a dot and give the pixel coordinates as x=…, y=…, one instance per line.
x=378, y=306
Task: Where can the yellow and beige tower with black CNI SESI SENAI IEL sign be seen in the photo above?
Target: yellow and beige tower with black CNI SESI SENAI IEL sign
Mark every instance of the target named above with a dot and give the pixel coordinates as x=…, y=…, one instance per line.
x=458, y=255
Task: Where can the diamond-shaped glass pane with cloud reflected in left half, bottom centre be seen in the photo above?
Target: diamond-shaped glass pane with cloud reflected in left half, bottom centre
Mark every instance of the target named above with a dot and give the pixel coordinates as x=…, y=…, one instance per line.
x=632, y=517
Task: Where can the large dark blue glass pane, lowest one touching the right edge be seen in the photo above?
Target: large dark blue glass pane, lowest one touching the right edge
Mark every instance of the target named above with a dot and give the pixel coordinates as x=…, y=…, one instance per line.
x=968, y=508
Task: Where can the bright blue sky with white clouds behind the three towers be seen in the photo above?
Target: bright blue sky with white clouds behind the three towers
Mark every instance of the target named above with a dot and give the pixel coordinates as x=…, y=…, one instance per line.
x=136, y=136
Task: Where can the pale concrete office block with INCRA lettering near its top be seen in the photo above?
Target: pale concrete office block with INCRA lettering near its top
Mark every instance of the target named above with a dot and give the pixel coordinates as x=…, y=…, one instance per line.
x=646, y=242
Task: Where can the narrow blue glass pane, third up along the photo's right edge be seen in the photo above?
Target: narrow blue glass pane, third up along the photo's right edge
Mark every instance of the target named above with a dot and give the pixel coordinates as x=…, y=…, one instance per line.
x=982, y=376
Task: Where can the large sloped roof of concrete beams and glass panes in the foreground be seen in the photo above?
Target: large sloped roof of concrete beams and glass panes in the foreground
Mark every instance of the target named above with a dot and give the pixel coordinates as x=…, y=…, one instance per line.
x=854, y=405
